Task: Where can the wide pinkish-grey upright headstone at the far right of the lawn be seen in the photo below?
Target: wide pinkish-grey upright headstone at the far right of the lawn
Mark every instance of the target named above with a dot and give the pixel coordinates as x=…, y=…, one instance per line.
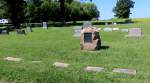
x=134, y=32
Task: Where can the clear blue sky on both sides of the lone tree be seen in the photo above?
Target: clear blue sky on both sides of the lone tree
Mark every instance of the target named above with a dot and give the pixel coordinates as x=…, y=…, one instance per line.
x=140, y=10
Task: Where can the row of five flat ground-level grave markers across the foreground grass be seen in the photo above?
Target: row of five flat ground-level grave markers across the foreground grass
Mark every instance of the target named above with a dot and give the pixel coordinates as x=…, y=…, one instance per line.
x=88, y=68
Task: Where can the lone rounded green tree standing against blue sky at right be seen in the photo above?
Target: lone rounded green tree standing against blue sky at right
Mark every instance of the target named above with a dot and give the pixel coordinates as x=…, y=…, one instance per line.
x=122, y=9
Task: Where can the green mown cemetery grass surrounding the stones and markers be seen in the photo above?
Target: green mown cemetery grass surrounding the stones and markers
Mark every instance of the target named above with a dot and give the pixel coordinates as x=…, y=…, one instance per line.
x=58, y=44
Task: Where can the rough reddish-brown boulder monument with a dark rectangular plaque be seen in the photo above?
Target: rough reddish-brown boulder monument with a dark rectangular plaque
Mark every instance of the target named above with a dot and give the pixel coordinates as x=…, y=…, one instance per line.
x=90, y=39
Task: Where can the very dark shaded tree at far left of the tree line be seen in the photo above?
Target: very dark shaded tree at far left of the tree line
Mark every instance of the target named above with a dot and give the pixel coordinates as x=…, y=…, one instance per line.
x=15, y=11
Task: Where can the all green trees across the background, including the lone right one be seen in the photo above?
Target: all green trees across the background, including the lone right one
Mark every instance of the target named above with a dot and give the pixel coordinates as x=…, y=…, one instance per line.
x=21, y=11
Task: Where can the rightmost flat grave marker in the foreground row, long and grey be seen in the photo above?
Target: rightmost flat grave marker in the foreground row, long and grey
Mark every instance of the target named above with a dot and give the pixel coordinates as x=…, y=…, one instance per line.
x=127, y=71
